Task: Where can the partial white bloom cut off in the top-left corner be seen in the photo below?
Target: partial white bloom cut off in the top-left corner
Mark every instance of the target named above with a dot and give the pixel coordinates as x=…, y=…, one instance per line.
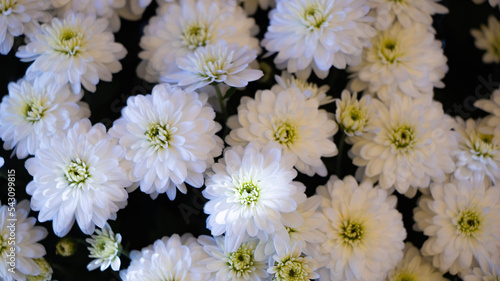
x=19, y=17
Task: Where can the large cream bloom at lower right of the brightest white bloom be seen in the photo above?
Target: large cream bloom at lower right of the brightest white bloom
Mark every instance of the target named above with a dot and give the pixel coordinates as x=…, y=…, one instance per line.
x=365, y=232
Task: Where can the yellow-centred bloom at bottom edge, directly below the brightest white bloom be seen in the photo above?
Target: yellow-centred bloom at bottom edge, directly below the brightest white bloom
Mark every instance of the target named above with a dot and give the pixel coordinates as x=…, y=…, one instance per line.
x=243, y=264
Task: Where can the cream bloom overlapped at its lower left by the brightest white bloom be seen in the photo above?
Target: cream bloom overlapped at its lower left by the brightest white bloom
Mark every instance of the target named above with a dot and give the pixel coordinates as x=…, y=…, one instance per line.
x=291, y=120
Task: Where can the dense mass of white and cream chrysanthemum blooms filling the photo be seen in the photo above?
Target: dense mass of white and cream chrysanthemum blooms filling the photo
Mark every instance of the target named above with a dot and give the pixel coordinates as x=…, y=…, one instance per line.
x=266, y=222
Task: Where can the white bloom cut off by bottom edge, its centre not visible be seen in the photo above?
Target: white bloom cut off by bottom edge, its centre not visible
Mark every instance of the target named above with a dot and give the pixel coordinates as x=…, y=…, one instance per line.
x=169, y=258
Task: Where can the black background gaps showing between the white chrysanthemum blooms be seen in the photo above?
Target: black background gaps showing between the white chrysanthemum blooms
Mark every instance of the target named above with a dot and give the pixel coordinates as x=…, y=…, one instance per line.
x=144, y=220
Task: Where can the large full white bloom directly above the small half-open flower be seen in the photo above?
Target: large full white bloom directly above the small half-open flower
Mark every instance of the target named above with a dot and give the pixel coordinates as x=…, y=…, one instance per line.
x=78, y=176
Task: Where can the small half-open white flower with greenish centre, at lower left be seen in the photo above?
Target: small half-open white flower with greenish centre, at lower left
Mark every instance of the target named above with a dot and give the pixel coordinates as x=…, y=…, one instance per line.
x=105, y=248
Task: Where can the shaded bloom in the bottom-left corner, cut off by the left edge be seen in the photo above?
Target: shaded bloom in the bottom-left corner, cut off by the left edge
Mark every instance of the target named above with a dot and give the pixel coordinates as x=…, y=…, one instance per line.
x=15, y=265
